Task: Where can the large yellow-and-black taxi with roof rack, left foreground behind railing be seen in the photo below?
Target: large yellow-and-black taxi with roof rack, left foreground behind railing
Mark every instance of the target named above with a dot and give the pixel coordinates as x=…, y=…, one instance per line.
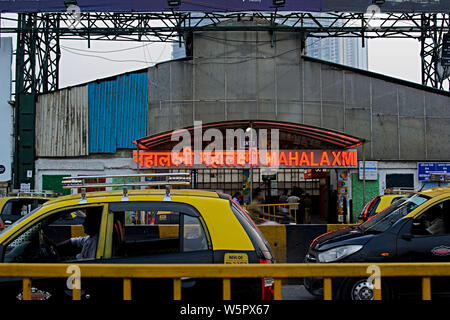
x=183, y=226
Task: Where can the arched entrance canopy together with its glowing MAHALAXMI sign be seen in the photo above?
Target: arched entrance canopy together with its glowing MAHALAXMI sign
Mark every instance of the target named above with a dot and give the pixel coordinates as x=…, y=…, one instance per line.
x=248, y=143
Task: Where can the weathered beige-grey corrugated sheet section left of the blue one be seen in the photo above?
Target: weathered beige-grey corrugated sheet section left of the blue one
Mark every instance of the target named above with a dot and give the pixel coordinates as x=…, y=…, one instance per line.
x=62, y=123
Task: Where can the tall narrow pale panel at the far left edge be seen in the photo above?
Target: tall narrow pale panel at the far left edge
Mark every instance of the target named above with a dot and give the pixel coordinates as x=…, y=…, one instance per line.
x=6, y=120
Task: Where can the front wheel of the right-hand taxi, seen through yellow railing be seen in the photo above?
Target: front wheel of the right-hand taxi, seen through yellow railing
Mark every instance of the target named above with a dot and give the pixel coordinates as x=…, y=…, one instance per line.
x=362, y=289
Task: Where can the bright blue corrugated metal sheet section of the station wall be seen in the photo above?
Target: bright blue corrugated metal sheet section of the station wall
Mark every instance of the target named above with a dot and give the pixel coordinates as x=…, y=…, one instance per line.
x=117, y=112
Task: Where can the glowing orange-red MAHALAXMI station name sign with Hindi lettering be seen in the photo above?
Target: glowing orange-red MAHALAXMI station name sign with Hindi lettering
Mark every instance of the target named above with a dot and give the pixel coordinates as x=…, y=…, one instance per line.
x=255, y=158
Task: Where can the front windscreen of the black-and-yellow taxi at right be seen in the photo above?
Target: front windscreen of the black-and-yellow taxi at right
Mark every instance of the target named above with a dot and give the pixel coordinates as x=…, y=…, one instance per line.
x=386, y=218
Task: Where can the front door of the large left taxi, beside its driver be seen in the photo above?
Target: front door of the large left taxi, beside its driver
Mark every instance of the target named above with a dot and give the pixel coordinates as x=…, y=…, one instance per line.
x=39, y=242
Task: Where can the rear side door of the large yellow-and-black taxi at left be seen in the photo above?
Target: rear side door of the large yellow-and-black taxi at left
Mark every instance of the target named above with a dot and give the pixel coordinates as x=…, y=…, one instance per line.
x=159, y=233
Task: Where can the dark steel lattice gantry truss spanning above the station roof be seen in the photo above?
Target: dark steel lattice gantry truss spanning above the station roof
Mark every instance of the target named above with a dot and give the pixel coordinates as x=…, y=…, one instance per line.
x=39, y=34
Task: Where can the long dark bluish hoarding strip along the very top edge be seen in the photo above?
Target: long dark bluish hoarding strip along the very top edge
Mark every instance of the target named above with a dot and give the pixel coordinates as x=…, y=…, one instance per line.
x=412, y=6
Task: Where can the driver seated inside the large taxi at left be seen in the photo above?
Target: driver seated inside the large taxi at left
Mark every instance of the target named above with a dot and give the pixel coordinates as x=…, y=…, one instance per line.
x=87, y=244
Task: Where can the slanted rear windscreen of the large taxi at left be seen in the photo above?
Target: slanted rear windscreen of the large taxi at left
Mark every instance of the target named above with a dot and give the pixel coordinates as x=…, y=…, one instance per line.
x=259, y=241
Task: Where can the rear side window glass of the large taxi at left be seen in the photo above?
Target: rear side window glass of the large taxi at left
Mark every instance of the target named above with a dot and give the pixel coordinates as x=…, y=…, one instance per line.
x=149, y=229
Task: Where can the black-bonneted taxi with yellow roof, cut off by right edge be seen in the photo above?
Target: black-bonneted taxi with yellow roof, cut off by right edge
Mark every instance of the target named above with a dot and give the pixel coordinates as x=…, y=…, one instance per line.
x=416, y=229
